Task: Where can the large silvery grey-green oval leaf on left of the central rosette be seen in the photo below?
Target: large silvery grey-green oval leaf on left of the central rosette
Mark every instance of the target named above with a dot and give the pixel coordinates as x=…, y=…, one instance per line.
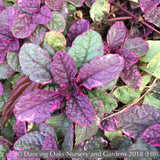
x=35, y=63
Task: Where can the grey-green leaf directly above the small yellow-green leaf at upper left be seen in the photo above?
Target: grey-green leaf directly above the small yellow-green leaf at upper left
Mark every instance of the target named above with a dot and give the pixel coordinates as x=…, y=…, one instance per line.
x=57, y=22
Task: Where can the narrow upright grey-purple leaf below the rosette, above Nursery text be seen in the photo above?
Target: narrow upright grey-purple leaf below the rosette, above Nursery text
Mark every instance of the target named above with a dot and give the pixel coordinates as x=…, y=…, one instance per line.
x=68, y=139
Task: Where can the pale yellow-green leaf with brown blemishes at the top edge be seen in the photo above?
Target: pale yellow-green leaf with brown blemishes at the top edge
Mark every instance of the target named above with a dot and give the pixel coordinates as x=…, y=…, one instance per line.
x=98, y=9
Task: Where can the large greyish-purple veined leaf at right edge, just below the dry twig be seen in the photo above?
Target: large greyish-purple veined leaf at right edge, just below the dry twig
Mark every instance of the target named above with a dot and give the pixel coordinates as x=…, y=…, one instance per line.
x=135, y=119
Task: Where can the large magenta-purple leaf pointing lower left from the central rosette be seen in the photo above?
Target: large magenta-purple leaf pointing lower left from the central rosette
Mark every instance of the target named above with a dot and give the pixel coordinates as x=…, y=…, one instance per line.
x=36, y=106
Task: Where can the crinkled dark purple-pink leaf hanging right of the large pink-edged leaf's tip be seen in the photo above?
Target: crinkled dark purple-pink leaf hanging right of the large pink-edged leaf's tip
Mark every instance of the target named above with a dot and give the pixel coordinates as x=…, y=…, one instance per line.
x=131, y=76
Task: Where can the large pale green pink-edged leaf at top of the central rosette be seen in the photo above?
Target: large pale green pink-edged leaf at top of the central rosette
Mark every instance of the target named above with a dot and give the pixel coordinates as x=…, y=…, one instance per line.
x=85, y=47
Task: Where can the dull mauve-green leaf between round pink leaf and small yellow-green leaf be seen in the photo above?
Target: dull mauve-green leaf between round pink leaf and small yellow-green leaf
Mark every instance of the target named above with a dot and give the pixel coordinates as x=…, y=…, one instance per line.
x=37, y=36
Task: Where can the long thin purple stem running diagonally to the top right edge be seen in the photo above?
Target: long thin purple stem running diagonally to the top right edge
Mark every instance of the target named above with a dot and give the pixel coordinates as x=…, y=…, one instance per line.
x=135, y=17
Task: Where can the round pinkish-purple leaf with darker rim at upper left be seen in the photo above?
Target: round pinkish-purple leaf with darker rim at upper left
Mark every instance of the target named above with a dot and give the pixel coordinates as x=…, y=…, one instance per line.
x=23, y=26
